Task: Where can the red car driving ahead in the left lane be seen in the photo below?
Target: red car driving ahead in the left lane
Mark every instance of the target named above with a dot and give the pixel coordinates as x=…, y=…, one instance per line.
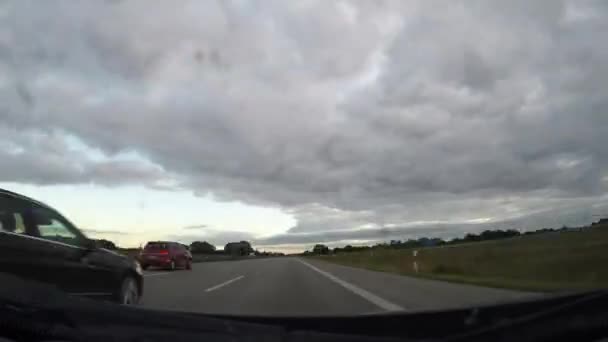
x=165, y=254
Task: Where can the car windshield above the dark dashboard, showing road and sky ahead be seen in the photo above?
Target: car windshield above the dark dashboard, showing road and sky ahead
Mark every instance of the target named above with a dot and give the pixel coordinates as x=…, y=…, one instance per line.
x=305, y=158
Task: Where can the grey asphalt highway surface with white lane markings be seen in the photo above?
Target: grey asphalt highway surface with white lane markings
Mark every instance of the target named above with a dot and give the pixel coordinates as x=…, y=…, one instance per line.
x=302, y=287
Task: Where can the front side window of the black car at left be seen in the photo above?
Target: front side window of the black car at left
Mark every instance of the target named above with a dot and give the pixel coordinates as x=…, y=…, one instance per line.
x=51, y=226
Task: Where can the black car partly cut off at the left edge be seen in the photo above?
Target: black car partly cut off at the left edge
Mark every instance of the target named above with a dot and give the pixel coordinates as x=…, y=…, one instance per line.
x=37, y=243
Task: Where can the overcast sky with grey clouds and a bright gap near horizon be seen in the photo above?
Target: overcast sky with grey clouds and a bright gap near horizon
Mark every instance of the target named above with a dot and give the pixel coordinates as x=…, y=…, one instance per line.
x=295, y=122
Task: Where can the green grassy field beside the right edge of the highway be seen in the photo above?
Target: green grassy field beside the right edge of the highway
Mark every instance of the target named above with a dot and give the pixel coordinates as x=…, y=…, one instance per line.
x=544, y=262
